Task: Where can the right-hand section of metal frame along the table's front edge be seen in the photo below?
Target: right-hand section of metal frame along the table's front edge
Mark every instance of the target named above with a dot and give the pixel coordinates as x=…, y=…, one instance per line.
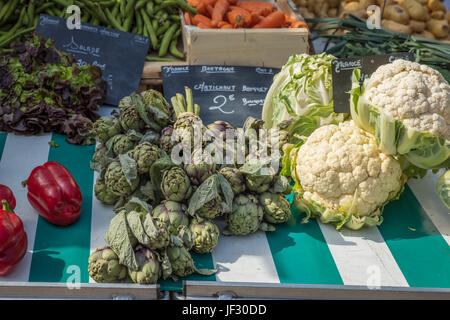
x=199, y=290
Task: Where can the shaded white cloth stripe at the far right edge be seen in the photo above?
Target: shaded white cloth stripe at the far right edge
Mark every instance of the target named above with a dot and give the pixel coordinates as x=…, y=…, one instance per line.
x=425, y=192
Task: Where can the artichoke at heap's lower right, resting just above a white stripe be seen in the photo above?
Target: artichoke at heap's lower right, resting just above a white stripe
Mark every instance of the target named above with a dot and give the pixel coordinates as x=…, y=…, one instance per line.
x=246, y=215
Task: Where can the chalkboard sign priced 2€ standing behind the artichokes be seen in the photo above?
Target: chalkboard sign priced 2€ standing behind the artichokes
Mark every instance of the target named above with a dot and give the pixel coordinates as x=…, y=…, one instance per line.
x=223, y=92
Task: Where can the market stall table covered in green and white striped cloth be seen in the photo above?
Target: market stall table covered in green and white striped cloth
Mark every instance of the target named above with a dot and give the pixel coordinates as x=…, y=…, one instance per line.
x=406, y=256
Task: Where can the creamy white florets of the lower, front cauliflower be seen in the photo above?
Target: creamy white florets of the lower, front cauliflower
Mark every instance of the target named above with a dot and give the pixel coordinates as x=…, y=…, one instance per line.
x=340, y=166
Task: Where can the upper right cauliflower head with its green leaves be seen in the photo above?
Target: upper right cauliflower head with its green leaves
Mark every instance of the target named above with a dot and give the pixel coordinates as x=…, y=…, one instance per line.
x=406, y=106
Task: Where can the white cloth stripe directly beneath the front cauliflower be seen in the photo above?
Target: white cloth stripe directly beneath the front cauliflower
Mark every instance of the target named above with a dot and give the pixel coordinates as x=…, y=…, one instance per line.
x=362, y=257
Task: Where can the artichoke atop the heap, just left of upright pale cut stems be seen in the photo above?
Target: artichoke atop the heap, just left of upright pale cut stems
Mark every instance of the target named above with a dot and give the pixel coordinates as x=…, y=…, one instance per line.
x=157, y=107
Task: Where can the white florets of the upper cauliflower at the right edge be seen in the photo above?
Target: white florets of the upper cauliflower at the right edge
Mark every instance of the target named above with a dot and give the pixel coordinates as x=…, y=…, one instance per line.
x=415, y=94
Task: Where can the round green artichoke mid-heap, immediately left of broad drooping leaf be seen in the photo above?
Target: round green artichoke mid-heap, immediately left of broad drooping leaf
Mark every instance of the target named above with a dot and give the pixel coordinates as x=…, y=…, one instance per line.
x=175, y=184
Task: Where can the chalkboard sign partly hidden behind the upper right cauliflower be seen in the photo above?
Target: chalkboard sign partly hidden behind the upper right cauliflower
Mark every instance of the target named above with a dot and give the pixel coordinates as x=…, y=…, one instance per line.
x=342, y=70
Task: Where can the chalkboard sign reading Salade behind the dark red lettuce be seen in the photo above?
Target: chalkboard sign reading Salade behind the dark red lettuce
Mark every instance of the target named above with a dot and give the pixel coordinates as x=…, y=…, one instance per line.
x=120, y=55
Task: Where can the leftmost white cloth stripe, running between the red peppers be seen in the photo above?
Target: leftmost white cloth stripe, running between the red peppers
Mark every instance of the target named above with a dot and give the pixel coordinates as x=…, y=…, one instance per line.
x=20, y=156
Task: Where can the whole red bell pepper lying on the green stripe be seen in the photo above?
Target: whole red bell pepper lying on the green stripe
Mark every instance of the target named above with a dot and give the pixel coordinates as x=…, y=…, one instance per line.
x=54, y=193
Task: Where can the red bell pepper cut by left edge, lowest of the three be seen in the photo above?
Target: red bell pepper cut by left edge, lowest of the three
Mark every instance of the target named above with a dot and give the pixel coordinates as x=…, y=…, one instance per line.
x=13, y=239
